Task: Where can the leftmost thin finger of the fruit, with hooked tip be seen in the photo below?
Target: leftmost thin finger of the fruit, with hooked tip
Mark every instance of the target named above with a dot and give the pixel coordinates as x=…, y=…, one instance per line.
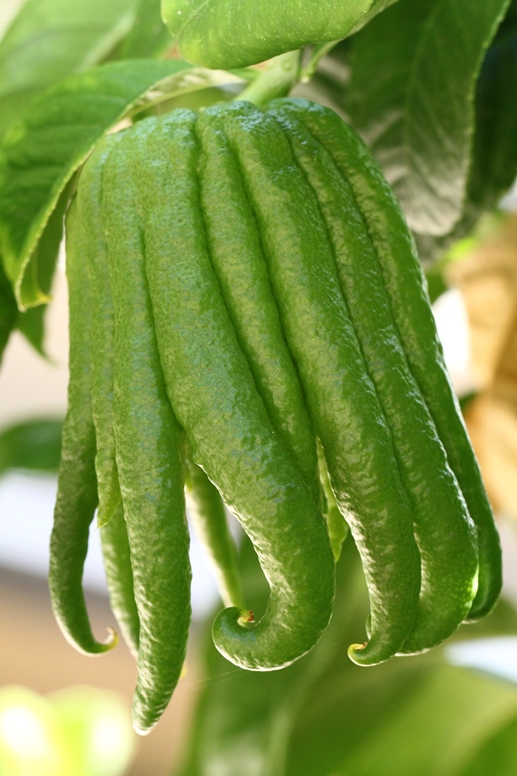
x=77, y=483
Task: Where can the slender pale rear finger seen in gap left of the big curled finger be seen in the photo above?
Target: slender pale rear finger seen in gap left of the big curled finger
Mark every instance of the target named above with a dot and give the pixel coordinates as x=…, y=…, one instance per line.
x=205, y=508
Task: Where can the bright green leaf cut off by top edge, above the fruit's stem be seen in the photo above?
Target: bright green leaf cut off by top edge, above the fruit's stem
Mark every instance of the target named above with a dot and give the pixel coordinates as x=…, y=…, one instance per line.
x=238, y=33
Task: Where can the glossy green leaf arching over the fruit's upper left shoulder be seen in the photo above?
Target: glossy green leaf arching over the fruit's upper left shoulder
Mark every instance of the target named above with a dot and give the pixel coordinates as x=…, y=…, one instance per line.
x=41, y=153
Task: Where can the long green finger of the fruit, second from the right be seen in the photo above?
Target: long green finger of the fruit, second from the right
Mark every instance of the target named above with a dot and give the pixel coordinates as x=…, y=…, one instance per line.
x=445, y=533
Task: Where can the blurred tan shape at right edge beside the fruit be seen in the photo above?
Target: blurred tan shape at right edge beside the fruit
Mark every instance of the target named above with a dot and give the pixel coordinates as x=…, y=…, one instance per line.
x=488, y=282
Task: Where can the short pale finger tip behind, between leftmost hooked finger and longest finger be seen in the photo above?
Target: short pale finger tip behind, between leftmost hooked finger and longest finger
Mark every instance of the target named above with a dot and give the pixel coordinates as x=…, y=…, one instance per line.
x=119, y=577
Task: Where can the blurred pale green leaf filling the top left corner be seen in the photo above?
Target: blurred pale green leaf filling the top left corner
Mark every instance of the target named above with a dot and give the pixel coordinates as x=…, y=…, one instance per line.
x=49, y=39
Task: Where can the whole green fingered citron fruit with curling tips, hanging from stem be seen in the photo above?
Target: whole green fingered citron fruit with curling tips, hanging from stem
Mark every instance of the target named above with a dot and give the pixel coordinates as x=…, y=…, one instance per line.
x=257, y=330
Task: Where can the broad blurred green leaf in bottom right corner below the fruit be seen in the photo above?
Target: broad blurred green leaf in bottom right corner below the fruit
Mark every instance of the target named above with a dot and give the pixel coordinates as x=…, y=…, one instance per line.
x=413, y=719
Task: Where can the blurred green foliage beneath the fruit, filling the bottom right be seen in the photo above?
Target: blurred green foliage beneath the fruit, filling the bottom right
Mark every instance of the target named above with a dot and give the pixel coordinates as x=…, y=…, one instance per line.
x=326, y=716
